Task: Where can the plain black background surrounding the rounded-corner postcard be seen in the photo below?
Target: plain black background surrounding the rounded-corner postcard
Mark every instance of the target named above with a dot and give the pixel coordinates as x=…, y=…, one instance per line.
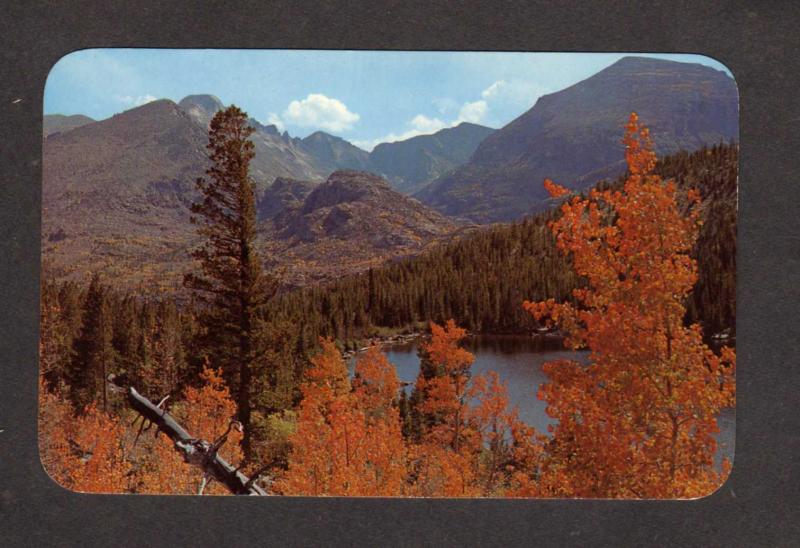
x=758, y=41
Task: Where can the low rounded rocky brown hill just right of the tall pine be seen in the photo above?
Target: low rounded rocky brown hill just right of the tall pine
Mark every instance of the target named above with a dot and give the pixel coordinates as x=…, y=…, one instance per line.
x=351, y=222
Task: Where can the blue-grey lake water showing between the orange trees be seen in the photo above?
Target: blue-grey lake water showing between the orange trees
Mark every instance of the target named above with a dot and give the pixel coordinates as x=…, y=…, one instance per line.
x=518, y=361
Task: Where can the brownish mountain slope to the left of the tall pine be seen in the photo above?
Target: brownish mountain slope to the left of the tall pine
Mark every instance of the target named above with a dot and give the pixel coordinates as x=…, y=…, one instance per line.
x=116, y=193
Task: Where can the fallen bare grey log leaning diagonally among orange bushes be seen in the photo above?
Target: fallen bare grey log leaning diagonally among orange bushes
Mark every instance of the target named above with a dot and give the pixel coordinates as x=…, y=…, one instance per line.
x=195, y=452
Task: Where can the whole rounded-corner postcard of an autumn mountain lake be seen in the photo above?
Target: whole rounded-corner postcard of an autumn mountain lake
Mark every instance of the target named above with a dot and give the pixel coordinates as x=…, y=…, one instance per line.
x=389, y=274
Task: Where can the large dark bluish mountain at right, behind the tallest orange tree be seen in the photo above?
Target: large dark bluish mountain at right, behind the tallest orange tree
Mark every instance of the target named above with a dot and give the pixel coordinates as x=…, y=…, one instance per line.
x=574, y=133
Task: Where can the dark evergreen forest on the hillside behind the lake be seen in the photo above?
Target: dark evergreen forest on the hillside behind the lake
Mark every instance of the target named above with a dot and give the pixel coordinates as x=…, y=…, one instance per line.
x=482, y=280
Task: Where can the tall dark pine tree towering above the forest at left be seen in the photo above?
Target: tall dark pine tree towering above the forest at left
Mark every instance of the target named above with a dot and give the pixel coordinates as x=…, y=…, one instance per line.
x=232, y=284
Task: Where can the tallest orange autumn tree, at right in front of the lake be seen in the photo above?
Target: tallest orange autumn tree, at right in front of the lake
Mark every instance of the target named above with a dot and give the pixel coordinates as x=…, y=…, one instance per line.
x=639, y=420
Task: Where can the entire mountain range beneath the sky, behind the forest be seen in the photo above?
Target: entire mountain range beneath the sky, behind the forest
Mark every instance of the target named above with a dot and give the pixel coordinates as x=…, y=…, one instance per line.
x=116, y=191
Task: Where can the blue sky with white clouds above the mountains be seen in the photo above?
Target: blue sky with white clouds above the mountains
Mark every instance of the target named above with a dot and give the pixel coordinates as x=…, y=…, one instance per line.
x=366, y=97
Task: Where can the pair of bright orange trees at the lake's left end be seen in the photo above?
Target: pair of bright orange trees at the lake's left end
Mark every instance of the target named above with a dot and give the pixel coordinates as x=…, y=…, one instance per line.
x=348, y=441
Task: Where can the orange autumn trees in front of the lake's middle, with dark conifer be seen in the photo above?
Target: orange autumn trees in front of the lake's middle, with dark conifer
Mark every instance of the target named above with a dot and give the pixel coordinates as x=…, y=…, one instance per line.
x=470, y=443
